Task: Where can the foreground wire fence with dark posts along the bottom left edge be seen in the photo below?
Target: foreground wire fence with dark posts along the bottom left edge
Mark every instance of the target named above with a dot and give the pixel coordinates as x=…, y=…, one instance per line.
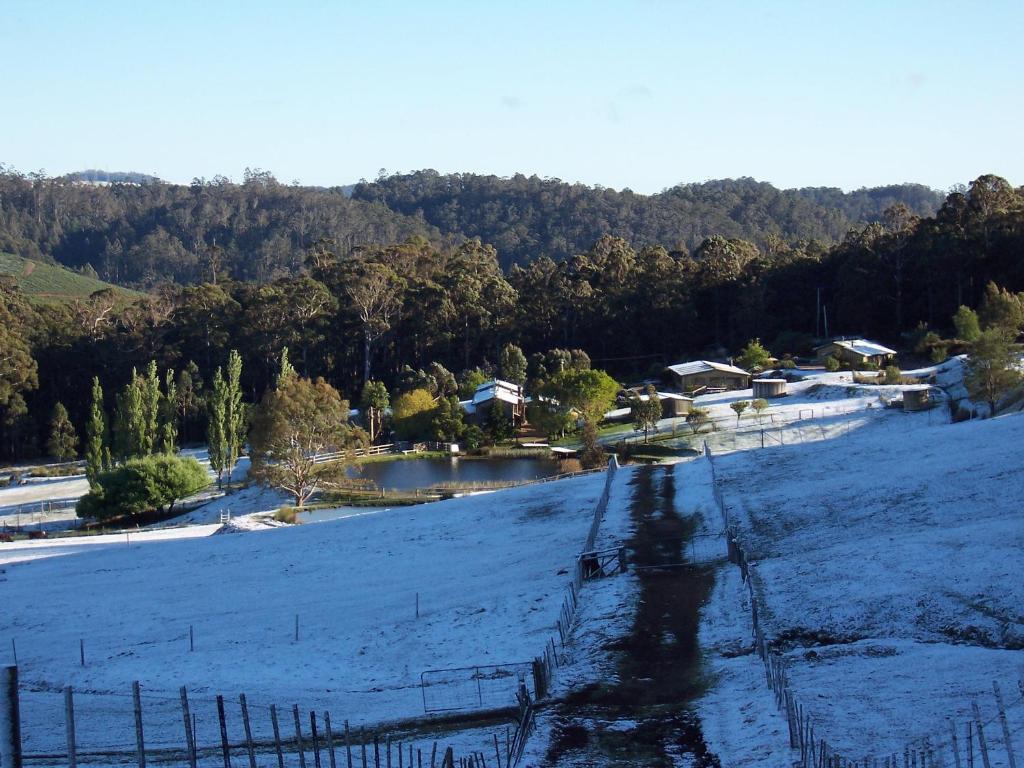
x=70, y=729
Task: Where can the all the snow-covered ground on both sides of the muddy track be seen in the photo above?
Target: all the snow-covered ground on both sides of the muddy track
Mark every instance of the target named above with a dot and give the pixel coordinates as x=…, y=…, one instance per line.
x=885, y=548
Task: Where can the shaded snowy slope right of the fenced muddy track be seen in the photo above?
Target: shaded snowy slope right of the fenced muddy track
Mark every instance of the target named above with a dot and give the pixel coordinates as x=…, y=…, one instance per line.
x=887, y=566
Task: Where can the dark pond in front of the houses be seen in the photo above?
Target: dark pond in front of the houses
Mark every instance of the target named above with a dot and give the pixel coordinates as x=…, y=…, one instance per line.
x=421, y=474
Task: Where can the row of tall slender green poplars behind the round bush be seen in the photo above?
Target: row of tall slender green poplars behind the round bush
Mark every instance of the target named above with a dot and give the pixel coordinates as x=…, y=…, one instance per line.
x=146, y=420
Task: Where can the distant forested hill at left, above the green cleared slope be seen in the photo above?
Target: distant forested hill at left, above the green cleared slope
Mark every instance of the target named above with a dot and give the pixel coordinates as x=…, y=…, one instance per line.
x=143, y=235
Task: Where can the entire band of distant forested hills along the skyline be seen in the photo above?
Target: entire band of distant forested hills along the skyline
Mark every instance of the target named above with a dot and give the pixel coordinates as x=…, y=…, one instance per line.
x=141, y=235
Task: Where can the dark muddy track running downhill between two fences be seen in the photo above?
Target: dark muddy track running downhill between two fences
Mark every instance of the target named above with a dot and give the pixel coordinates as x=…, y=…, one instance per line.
x=644, y=718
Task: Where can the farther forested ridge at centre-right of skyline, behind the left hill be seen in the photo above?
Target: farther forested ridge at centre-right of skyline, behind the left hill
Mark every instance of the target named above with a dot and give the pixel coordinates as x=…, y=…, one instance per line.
x=526, y=218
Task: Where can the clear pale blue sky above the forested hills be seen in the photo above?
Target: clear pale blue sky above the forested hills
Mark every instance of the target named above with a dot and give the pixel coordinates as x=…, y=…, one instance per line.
x=643, y=95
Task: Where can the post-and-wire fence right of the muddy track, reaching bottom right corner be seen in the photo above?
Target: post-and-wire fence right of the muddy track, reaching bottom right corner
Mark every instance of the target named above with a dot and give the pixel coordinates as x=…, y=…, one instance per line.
x=989, y=740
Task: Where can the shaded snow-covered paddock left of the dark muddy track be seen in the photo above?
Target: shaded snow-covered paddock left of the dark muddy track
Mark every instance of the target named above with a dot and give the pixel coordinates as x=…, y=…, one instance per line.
x=490, y=573
